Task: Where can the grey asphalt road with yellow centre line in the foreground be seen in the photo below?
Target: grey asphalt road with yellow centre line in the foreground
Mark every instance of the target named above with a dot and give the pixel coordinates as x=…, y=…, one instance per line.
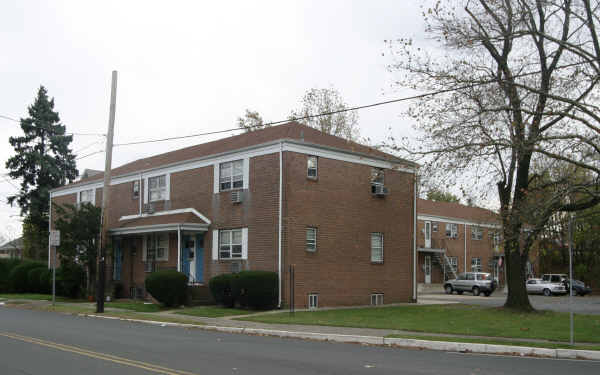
x=34, y=342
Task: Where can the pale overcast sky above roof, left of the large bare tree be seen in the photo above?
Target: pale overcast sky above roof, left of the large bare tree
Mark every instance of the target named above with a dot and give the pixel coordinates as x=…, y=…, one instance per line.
x=187, y=67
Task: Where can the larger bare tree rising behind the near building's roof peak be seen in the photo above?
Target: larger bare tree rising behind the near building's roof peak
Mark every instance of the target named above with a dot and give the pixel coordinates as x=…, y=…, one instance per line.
x=331, y=108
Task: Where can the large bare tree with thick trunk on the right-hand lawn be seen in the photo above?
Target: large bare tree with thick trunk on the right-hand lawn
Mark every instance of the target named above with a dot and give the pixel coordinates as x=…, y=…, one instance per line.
x=517, y=110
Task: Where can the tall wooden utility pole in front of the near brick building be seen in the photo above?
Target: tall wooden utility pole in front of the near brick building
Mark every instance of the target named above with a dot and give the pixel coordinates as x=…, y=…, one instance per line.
x=101, y=261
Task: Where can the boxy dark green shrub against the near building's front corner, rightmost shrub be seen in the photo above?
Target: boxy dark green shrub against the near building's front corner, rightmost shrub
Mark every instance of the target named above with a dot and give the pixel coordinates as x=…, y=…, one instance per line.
x=256, y=289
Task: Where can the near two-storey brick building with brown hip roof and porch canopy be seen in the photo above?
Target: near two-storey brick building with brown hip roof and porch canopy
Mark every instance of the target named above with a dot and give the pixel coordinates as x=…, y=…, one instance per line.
x=341, y=213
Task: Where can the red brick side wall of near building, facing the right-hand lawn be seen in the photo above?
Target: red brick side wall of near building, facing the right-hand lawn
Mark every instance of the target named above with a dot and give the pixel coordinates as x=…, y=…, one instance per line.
x=340, y=205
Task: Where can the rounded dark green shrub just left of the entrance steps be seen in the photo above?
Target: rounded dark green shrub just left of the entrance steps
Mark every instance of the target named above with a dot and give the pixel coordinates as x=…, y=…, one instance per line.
x=169, y=287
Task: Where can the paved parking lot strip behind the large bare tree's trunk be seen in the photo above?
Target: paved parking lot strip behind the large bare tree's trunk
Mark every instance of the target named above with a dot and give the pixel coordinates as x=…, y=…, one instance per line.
x=581, y=305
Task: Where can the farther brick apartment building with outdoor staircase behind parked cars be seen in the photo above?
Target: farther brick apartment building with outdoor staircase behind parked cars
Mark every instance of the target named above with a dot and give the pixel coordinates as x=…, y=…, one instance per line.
x=453, y=238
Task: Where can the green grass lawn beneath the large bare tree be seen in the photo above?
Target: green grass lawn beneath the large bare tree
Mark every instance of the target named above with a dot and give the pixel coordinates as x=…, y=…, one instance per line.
x=452, y=319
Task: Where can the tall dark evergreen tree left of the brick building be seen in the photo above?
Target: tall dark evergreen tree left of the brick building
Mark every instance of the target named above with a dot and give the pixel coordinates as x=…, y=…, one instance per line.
x=42, y=161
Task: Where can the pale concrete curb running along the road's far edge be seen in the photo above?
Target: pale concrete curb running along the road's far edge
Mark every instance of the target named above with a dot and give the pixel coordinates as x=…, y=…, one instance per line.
x=447, y=346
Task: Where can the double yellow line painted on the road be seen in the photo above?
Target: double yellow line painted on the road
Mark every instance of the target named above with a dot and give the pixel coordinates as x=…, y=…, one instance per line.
x=97, y=355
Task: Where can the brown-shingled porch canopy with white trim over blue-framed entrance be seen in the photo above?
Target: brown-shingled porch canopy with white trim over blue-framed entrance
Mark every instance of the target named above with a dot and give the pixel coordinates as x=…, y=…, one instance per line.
x=187, y=219
